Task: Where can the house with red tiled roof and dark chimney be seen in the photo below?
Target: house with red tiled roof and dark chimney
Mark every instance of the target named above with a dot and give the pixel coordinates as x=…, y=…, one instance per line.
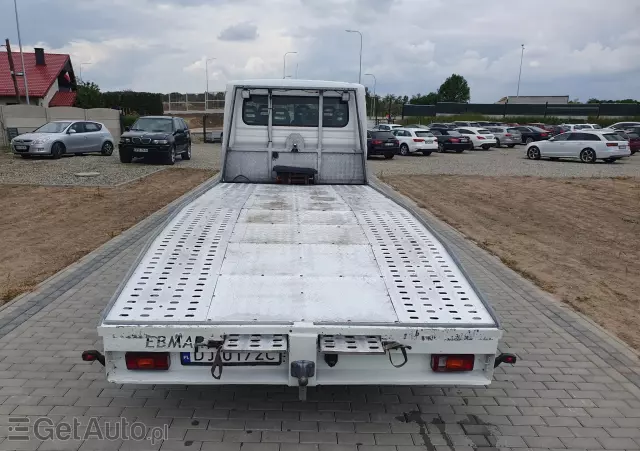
x=50, y=79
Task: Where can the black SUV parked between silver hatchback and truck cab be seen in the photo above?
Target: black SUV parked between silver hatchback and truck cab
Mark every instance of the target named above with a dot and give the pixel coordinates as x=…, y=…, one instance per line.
x=162, y=136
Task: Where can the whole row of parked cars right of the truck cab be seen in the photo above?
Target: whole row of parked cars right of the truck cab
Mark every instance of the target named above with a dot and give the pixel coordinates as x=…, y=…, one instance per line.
x=588, y=142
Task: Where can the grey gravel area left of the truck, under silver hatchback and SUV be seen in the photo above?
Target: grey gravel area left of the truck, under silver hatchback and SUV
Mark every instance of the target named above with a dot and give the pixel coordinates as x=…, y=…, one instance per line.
x=46, y=171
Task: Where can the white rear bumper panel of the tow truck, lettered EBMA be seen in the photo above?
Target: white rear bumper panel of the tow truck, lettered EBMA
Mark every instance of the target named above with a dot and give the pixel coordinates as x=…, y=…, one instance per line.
x=303, y=344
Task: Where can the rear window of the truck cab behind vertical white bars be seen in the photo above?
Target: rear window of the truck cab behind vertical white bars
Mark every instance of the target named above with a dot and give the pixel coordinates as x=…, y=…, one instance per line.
x=295, y=111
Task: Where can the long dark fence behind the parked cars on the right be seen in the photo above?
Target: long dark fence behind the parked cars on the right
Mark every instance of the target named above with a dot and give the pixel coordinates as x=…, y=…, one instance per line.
x=515, y=109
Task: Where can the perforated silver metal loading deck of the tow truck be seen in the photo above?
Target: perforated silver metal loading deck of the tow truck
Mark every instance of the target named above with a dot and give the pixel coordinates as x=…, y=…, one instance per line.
x=281, y=254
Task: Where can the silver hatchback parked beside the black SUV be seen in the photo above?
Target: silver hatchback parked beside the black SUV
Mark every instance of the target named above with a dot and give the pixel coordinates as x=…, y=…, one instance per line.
x=64, y=137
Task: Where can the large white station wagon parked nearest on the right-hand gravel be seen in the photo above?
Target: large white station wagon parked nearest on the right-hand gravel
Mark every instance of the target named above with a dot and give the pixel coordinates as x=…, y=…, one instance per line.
x=586, y=145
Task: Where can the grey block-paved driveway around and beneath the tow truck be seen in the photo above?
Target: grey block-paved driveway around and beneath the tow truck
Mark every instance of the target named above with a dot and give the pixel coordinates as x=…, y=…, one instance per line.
x=573, y=388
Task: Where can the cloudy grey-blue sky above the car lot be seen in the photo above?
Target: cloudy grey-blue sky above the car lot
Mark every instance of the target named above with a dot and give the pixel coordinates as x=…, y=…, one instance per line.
x=581, y=48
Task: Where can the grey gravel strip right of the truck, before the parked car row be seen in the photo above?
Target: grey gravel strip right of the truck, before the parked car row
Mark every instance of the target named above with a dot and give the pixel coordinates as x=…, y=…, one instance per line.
x=498, y=162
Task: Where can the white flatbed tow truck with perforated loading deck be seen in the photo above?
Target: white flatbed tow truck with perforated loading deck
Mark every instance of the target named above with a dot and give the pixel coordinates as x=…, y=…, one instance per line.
x=294, y=269
